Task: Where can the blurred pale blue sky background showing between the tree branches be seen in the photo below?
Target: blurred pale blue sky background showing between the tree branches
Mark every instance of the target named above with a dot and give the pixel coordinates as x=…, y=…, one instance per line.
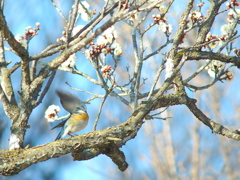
x=21, y=14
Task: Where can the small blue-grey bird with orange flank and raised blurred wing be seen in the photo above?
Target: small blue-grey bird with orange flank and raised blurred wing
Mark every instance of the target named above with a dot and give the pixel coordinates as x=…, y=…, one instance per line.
x=78, y=119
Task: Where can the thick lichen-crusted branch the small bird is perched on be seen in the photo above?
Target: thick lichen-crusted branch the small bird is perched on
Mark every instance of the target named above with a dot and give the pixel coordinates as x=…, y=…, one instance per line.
x=13, y=161
